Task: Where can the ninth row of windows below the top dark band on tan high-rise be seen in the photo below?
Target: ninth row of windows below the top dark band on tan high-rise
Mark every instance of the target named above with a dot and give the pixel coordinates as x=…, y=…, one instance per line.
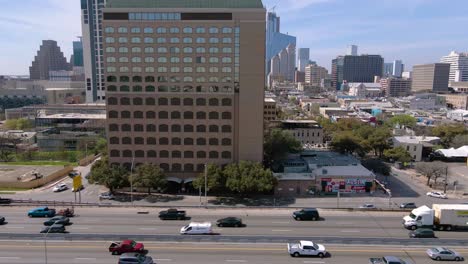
x=171, y=115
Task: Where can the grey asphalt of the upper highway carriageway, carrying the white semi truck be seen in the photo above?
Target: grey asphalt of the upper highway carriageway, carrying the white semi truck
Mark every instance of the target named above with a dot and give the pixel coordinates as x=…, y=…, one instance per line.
x=262, y=225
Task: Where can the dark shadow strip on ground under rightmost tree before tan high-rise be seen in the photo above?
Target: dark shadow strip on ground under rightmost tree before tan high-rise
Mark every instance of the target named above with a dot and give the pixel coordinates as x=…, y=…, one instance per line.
x=253, y=201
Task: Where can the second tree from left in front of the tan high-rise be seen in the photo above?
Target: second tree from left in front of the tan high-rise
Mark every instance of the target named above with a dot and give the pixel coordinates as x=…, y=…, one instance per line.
x=149, y=176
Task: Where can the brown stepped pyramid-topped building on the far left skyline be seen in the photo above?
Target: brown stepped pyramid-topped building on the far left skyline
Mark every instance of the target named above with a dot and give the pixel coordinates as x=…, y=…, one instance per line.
x=49, y=58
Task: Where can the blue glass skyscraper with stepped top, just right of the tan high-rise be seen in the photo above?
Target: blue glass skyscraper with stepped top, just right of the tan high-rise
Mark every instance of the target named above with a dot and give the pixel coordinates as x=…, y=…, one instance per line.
x=276, y=44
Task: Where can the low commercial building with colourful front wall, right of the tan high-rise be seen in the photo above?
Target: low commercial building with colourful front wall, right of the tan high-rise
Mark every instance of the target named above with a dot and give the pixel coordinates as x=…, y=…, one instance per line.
x=313, y=172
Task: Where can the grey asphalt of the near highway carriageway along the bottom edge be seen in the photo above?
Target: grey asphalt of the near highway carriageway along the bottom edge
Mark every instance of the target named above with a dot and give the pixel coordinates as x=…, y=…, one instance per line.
x=175, y=253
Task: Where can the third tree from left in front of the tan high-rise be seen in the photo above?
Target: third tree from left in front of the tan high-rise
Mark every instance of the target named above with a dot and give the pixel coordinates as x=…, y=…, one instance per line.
x=215, y=179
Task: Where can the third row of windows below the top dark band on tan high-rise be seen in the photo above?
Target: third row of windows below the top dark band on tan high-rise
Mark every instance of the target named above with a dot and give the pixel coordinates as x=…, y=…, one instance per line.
x=173, y=50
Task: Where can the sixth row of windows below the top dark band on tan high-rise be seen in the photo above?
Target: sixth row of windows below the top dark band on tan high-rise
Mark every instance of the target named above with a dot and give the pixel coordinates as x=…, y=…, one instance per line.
x=172, y=79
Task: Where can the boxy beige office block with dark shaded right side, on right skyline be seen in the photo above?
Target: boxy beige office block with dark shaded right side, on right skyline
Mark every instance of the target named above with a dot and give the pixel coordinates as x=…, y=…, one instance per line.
x=432, y=77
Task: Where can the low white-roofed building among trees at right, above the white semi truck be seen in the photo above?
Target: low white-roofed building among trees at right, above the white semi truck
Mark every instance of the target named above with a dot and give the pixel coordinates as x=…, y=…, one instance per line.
x=418, y=147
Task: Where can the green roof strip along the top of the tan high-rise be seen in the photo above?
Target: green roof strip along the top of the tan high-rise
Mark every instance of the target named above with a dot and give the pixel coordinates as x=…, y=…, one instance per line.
x=185, y=4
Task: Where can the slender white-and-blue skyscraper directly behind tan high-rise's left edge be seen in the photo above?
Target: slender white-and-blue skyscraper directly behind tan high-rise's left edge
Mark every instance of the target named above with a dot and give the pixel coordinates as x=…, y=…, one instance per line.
x=91, y=24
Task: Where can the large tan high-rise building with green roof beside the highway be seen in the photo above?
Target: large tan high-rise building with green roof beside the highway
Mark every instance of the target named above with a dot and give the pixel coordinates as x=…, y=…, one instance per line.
x=185, y=82
